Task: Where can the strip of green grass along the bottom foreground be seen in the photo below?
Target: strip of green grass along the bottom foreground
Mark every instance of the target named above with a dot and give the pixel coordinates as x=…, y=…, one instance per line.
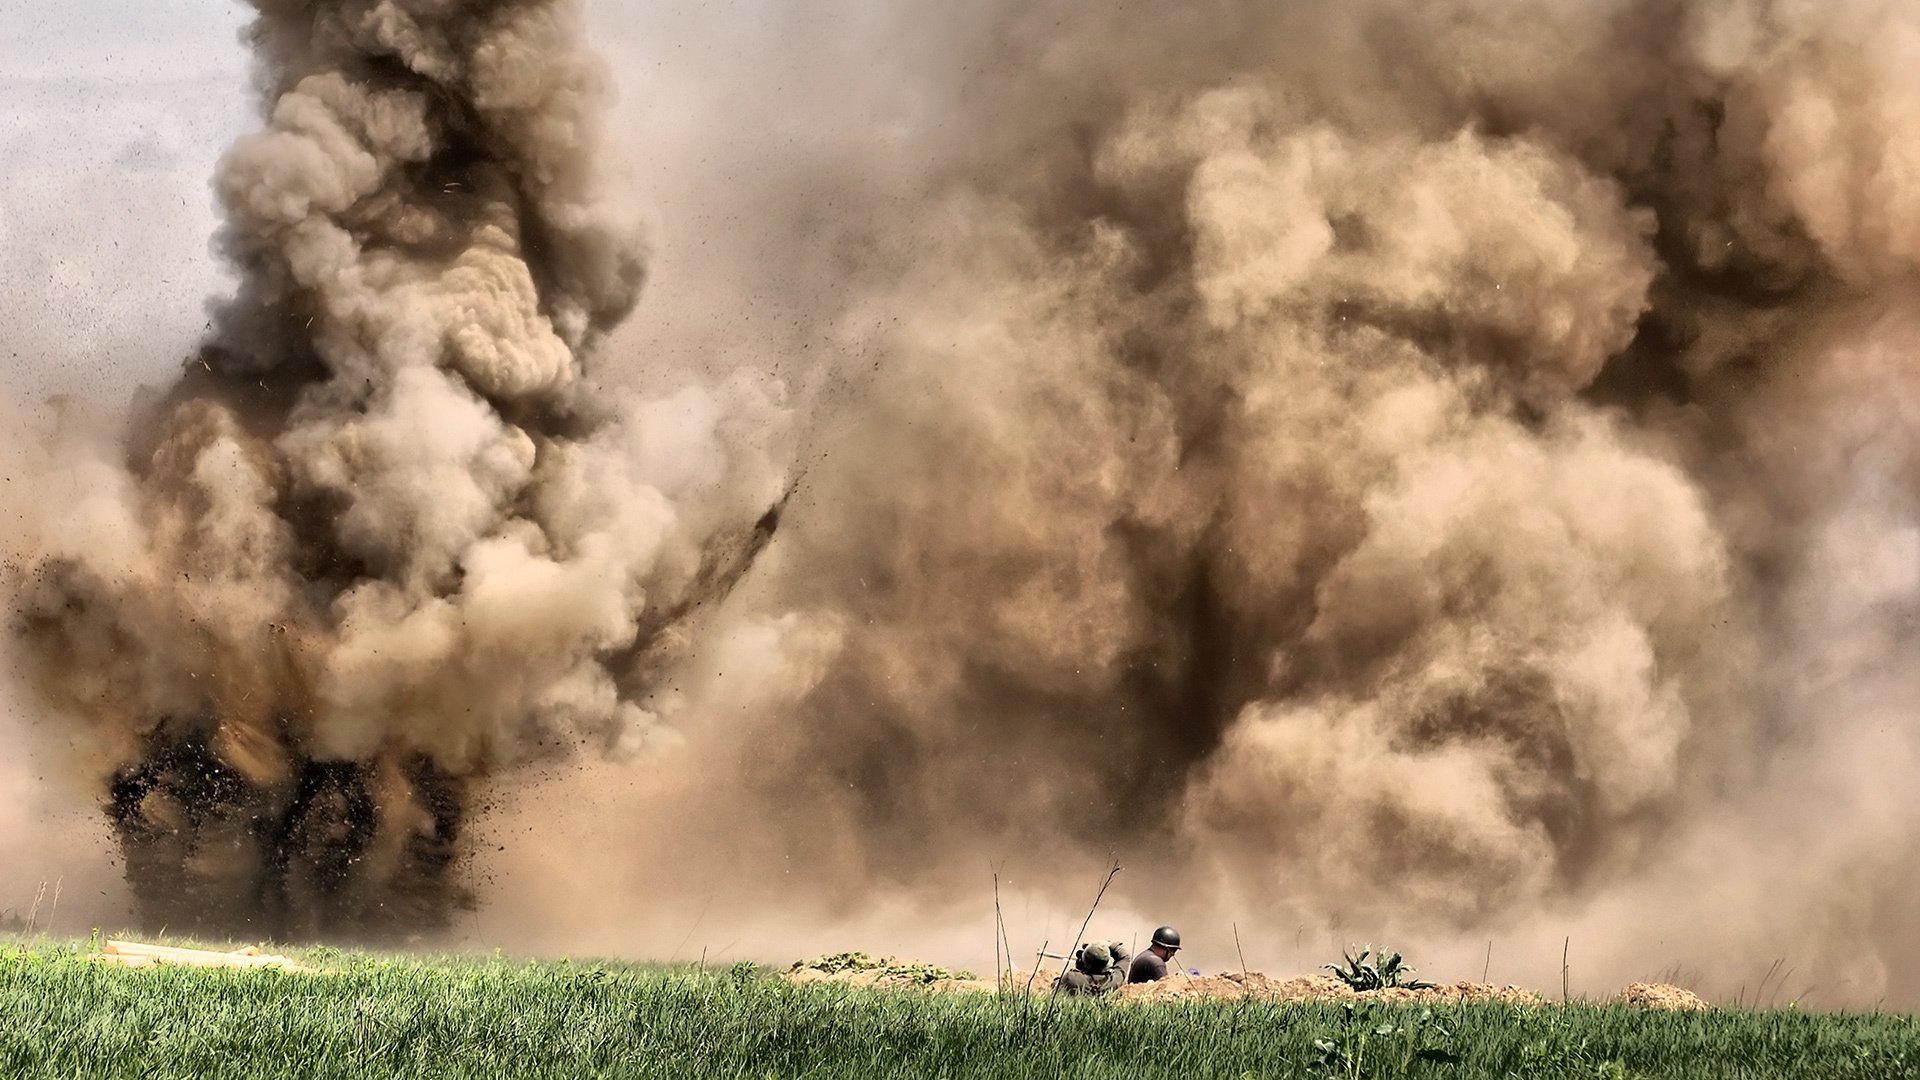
x=66, y=1018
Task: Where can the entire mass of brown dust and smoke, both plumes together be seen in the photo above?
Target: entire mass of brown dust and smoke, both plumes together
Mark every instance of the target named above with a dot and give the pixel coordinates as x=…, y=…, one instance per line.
x=1437, y=472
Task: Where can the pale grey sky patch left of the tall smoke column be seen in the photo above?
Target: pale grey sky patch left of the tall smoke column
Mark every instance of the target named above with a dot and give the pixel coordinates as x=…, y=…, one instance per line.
x=112, y=114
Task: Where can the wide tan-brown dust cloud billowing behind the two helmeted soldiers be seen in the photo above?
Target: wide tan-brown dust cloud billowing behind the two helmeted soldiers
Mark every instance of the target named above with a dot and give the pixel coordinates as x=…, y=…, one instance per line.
x=1439, y=470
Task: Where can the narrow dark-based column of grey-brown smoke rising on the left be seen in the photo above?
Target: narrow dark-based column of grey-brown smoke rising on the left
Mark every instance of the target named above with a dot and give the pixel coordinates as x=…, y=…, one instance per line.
x=385, y=535
